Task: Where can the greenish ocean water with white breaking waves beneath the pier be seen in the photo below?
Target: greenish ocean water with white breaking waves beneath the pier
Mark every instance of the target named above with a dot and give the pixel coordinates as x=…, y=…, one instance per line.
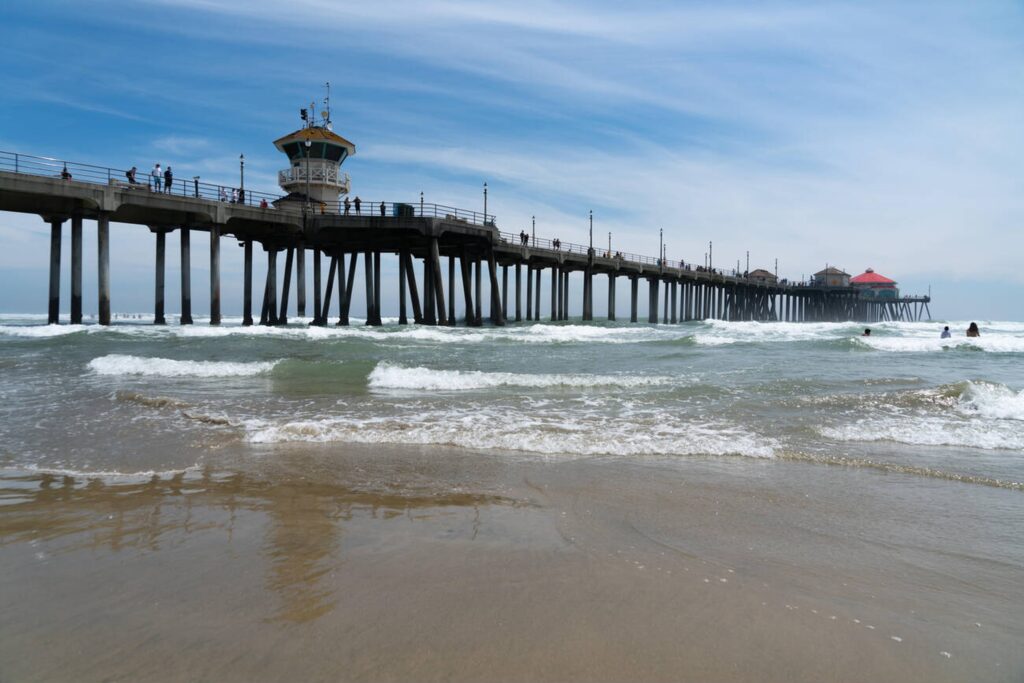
x=135, y=400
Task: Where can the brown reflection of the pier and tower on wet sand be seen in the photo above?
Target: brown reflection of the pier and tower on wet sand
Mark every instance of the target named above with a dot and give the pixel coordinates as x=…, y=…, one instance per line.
x=298, y=525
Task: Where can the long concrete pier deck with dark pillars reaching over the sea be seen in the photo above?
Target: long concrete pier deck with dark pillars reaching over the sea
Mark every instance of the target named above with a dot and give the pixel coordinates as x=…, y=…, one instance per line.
x=443, y=253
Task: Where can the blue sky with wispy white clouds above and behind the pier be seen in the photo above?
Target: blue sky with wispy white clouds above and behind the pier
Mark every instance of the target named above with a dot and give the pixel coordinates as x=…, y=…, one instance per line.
x=860, y=135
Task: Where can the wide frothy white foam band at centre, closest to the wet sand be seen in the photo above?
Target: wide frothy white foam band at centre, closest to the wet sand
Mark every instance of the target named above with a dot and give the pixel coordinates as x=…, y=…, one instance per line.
x=546, y=434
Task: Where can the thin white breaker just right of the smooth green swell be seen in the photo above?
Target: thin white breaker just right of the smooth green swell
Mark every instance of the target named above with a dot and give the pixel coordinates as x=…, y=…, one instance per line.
x=388, y=376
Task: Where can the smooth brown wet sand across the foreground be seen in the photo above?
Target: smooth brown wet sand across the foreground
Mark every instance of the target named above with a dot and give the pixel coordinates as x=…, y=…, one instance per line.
x=428, y=565
